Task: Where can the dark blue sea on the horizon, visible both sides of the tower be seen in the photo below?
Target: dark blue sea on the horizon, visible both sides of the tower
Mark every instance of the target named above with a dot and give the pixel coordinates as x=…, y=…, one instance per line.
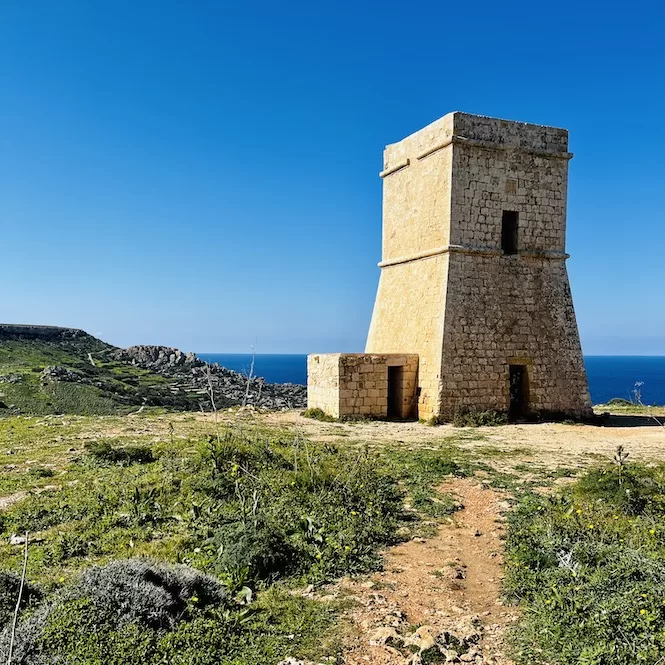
x=609, y=376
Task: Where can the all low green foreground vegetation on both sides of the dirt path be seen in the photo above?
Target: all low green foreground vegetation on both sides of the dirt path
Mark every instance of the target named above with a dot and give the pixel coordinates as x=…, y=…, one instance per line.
x=243, y=518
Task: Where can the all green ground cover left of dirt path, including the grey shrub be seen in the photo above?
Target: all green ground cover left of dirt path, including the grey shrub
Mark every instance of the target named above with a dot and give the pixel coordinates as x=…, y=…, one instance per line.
x=257, y=511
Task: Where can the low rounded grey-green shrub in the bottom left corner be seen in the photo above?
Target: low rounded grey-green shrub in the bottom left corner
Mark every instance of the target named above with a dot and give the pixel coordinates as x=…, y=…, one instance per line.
x=126, y=606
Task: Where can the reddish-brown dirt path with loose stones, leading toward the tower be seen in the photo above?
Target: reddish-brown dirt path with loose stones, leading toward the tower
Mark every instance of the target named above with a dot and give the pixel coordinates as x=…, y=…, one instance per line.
x=438, y=597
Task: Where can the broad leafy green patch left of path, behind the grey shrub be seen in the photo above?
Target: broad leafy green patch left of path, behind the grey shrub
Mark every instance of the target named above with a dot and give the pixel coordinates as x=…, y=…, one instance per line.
x=252, y=509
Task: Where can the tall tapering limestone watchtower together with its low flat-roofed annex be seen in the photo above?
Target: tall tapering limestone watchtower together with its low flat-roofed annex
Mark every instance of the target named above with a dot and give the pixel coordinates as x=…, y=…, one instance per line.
x=473, y=310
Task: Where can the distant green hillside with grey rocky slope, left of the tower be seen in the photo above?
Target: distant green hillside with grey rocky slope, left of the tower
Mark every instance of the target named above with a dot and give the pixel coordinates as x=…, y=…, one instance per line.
x=63, y=370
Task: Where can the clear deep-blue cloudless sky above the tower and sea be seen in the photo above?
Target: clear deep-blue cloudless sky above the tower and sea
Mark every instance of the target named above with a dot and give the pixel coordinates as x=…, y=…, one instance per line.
x=205, y=174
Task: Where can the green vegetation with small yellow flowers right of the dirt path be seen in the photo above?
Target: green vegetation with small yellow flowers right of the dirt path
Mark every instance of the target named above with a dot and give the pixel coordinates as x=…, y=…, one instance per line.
x=588, y=566
